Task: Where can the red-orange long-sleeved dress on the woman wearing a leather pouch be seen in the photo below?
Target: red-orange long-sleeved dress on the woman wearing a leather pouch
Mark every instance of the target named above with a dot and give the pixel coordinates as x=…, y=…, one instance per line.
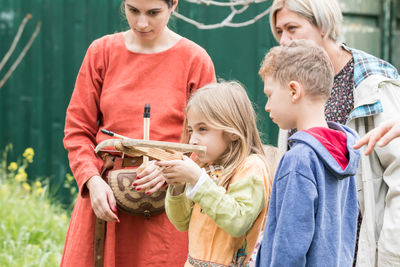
x=111, y=89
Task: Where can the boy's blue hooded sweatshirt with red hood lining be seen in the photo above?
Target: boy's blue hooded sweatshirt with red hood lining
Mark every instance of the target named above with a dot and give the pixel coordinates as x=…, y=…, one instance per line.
x=312, y=215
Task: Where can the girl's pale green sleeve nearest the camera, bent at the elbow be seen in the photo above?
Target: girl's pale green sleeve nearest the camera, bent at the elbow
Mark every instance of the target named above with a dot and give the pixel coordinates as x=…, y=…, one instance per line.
x=236, y=211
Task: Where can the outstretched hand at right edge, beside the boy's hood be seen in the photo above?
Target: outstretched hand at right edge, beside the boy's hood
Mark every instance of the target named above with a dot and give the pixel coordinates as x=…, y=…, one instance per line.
x=381, y=135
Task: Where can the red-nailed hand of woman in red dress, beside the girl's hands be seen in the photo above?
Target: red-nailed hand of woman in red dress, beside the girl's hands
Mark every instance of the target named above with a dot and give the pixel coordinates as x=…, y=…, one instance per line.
x=149, y=179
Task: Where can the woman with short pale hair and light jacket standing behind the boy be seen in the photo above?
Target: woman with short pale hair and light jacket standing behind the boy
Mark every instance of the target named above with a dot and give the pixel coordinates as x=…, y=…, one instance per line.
x=366, y=92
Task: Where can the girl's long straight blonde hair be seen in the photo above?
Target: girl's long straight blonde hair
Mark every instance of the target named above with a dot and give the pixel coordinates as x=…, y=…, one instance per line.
x=226, y=106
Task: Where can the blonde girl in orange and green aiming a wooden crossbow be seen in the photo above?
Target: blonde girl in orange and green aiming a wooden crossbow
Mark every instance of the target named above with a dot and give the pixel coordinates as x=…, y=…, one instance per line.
x=223, y=211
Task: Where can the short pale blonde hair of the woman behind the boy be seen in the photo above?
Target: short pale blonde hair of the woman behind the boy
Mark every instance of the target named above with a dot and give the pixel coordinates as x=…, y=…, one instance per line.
x=324, y=14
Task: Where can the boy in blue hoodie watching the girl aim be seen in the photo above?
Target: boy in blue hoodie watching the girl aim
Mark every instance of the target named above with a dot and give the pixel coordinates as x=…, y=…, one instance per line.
x=312, y=216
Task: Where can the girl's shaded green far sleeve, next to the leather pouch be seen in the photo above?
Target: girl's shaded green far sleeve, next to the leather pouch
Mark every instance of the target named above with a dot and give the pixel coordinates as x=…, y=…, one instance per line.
x=178, y=209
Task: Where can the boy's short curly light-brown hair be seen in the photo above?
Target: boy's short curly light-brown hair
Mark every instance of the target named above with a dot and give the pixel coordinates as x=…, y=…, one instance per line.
x=302, y=61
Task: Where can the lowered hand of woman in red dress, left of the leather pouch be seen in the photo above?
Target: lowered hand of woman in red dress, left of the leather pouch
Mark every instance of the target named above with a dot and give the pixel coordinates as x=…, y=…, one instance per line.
x=102, y=199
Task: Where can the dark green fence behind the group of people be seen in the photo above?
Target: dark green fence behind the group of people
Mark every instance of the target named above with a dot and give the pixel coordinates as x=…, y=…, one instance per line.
x=34, y=100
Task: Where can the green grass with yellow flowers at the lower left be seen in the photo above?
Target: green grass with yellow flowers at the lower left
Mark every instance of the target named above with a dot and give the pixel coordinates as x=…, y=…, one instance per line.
x=32, y=226
